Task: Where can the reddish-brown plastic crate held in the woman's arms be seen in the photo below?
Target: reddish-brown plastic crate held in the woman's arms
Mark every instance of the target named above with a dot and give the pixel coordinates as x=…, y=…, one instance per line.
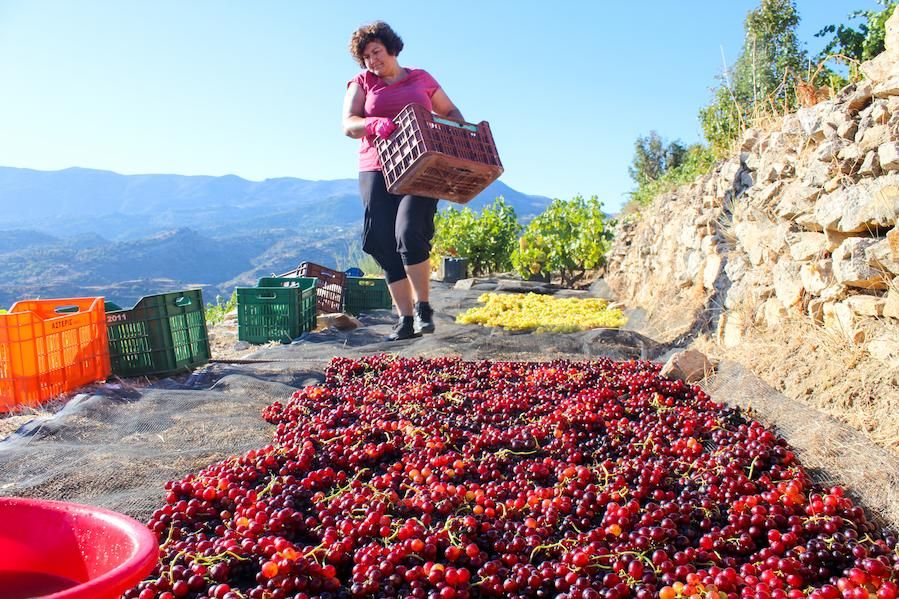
x=436, y=157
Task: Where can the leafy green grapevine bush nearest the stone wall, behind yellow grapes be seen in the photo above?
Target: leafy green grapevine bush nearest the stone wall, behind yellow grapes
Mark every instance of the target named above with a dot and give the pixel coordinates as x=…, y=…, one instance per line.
x=568, y=238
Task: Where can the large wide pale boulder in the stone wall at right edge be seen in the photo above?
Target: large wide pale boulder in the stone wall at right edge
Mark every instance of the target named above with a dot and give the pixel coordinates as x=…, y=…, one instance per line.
x=868, y=205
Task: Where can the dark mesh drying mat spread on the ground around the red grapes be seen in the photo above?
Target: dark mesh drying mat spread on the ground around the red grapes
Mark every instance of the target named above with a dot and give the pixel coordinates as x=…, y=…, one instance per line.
x=118, y=447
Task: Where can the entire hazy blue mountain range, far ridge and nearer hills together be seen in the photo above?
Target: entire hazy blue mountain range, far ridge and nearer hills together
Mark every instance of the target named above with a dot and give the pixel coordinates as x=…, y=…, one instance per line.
x=79, y=231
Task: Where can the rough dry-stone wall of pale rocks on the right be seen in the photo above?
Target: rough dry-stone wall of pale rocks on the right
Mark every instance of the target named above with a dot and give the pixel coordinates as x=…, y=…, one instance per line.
x=801, y=223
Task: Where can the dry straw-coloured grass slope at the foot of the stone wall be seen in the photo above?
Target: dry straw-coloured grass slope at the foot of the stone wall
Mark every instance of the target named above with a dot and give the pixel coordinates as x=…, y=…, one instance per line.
x=823, y=369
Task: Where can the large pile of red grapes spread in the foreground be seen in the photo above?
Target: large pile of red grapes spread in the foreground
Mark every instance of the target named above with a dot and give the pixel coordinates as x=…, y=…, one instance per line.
x=442, y=478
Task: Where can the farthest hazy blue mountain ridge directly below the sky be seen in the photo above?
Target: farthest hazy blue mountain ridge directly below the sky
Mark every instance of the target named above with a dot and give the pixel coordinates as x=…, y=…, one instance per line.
x=76, y=201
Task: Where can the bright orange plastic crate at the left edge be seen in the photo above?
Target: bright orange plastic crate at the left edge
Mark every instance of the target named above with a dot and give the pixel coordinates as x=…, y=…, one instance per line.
x=48, y=347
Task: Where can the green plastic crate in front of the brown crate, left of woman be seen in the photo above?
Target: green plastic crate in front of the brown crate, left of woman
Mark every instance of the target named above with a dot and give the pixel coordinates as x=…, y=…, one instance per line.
x=277, y=309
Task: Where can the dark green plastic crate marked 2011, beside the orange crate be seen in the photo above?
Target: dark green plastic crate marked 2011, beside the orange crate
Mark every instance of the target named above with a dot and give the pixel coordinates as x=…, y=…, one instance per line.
x=162, y=334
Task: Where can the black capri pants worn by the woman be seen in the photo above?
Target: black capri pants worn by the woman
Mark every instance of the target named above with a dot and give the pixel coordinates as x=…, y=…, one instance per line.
x=397, y=230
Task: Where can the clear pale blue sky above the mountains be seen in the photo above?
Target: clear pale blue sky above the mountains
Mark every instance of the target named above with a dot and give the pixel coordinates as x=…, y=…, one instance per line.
x=255, y=88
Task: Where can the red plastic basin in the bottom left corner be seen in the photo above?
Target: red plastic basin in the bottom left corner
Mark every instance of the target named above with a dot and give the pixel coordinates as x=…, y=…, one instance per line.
x=68, y=551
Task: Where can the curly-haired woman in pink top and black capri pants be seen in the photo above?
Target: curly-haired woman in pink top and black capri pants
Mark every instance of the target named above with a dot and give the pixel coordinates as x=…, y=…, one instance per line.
x=397, y=230
